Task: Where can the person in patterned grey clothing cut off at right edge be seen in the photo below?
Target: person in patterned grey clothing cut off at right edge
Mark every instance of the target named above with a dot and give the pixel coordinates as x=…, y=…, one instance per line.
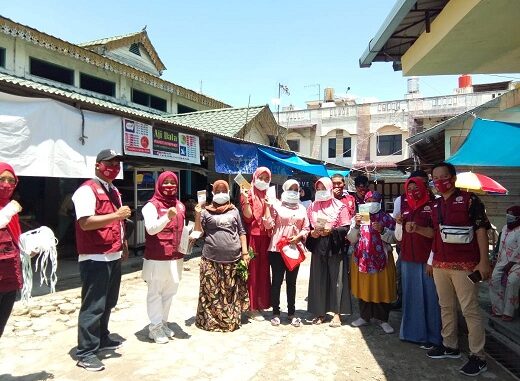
x=505, y=281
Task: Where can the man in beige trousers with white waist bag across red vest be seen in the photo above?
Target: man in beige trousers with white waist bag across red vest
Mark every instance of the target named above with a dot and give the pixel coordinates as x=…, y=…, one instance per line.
x=460, y=247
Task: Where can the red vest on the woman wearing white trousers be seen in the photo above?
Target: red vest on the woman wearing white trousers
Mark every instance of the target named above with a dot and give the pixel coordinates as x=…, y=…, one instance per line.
x=163, y=245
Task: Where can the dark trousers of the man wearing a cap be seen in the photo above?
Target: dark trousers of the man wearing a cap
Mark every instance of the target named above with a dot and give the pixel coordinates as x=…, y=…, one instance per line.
x=99, y=293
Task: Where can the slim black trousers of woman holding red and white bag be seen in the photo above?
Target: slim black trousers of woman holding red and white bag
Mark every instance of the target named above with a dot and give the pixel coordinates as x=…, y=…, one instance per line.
x=278, y=270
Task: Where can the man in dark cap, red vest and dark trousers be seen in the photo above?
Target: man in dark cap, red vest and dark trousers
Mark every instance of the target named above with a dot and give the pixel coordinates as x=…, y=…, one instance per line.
x=101, y=245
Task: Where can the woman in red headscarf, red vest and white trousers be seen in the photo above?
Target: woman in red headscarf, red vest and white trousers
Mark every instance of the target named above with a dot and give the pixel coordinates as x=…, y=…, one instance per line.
x=162, y=267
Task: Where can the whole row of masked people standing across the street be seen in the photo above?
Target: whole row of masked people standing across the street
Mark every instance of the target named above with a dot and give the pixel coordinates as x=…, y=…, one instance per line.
x=244, y=258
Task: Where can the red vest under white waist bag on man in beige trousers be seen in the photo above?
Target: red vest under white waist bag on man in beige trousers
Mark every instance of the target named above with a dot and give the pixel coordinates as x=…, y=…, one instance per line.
x=454, y=212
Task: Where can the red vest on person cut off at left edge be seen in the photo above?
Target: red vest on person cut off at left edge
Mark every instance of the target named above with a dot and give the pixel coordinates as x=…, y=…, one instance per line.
x=10, y=270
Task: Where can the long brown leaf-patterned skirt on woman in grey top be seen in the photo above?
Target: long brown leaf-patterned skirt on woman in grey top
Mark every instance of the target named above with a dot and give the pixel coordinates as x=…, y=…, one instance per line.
x=222, y=297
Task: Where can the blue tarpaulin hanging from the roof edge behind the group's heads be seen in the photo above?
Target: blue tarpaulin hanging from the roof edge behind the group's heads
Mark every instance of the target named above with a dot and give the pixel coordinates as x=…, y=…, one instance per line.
x=245, y=158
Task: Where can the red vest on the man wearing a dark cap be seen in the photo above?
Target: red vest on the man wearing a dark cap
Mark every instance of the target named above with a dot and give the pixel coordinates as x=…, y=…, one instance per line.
x=104, y=240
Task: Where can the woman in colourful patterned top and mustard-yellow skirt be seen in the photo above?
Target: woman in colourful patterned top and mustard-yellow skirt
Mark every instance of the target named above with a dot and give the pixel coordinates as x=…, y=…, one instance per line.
x=372, y=271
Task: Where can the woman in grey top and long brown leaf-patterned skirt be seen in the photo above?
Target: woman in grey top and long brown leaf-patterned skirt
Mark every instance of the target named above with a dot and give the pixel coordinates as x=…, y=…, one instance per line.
x=223, y=293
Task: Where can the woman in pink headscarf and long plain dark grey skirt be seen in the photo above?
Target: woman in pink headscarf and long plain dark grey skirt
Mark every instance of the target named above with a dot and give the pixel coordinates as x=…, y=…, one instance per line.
x=328, y=283
